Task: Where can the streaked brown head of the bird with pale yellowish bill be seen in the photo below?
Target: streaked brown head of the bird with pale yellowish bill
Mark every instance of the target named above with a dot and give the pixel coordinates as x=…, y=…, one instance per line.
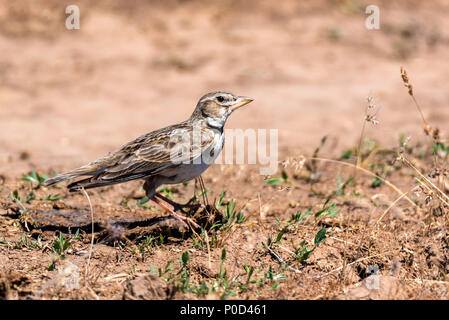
x=215, y=107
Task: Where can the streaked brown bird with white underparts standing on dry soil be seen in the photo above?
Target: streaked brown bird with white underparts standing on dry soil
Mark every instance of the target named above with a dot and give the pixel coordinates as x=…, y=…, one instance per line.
x=171, y=155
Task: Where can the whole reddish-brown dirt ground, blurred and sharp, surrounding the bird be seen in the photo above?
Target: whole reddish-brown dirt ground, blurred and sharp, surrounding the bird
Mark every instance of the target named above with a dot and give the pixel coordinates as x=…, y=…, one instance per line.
x=68, y=97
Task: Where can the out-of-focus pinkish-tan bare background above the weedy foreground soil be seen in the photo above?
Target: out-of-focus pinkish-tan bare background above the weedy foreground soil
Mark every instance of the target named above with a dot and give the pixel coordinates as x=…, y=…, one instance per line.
x=70, y=96
